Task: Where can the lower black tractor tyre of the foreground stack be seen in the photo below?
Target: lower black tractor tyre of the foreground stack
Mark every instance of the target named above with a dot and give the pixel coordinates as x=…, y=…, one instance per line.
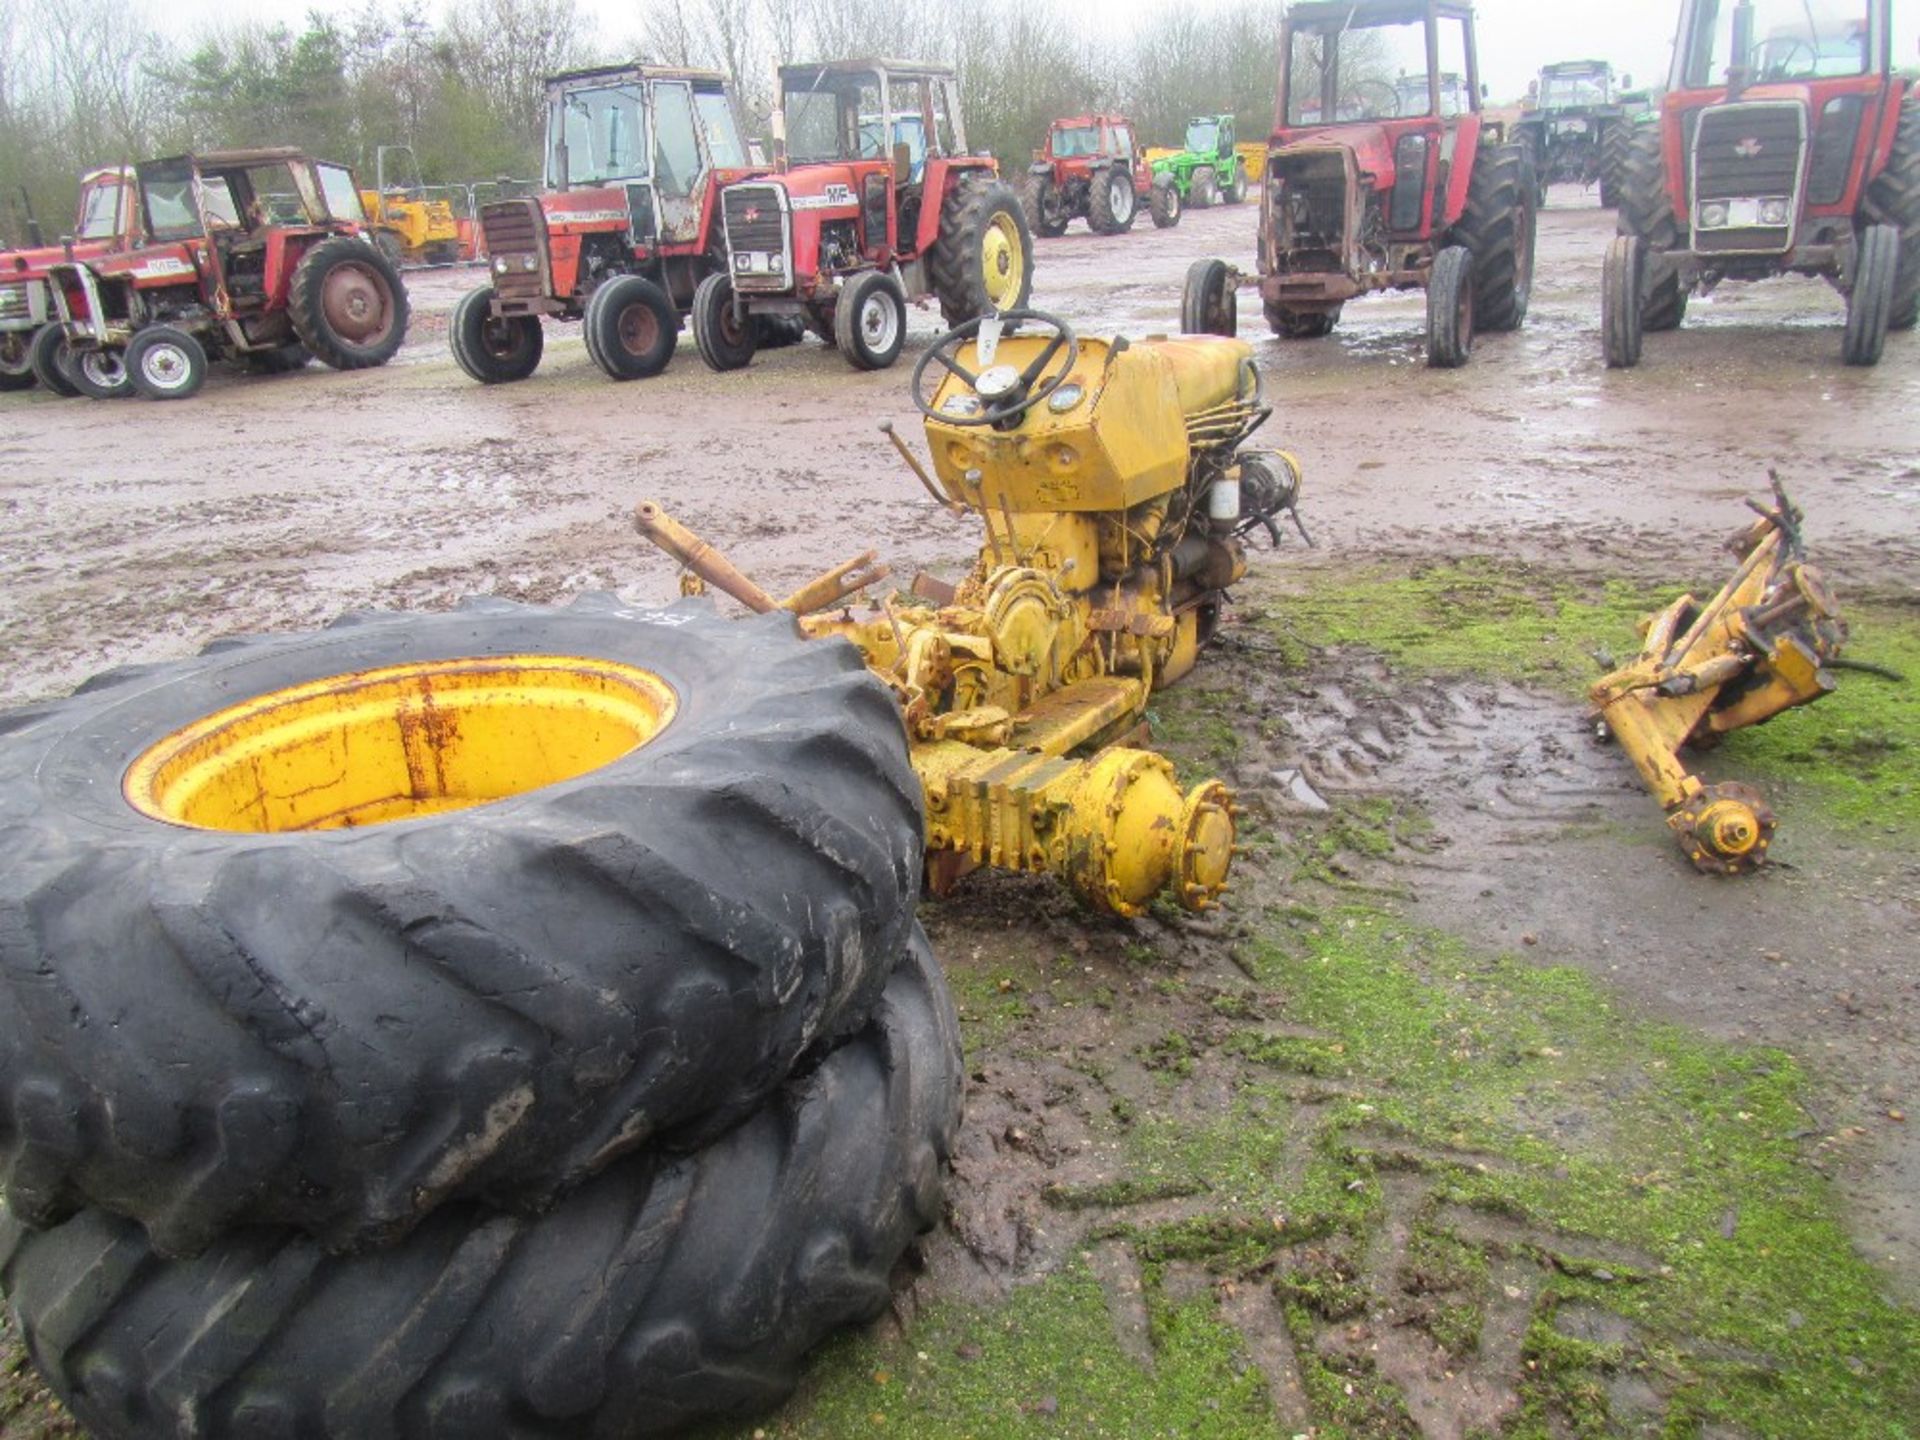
x=663, y=1293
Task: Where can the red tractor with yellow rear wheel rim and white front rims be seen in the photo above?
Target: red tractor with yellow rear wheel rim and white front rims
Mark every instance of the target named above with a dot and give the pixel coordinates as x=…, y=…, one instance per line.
x=876, y=203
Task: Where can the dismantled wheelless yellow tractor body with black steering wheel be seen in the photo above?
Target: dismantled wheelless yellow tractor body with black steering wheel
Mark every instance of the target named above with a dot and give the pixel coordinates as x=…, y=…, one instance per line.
x=1116, y=502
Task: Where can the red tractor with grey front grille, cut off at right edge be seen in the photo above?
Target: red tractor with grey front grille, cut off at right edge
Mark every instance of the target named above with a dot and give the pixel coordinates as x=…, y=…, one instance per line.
x=1804, y=160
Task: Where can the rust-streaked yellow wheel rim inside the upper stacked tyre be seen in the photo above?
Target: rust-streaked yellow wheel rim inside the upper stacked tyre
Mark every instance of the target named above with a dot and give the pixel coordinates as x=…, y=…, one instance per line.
x=398, y=744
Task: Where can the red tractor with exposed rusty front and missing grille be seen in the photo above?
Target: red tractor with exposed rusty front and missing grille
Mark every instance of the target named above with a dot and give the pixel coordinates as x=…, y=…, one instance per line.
x=1404, y=189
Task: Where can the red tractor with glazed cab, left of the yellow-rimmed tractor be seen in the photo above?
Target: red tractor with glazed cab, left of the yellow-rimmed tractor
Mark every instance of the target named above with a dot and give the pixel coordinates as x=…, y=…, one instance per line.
x=623, y=233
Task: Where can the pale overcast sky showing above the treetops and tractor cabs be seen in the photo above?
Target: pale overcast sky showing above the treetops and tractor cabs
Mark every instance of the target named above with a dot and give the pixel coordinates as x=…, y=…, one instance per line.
x=1518, y=37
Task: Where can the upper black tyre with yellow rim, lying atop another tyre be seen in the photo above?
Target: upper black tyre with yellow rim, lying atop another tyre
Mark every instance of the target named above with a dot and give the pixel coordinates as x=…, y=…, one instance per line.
x=433, y=907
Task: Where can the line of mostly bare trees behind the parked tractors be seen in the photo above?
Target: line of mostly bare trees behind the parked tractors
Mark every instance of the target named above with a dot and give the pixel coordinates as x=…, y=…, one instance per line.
x=95, y=85
